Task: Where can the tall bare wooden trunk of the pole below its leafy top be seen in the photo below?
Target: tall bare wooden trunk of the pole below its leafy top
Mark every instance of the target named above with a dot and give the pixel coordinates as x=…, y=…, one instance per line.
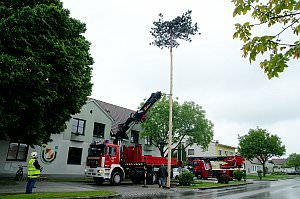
x=170, y=121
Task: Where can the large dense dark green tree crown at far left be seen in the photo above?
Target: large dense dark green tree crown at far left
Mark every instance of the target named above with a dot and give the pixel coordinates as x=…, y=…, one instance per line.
x=45, y=69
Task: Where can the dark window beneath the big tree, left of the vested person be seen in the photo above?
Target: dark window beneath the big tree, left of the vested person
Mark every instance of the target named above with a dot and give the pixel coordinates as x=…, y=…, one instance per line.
x=17, y=152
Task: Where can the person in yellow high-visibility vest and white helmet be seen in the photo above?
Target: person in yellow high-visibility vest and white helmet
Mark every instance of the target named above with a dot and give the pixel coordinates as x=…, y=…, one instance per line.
x=34, y=172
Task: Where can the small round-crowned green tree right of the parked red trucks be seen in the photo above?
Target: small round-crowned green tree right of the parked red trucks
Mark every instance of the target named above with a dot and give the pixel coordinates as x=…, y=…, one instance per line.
x=258, y=143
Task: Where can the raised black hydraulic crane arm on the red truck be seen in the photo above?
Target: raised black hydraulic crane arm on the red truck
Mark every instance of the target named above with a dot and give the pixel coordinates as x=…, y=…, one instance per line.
x=137, y=117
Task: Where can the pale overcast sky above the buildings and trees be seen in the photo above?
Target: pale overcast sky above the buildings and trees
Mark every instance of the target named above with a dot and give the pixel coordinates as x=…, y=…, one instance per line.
x=210, y=70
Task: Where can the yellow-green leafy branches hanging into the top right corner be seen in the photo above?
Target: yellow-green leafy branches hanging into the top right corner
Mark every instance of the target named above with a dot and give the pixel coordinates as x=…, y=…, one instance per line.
x=281, y=43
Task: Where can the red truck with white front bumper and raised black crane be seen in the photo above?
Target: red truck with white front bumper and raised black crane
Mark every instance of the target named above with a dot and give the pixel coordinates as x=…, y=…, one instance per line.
x=110, y=162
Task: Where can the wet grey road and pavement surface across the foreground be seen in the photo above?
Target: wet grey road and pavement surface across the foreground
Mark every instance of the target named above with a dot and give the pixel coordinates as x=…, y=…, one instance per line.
x=282, y=189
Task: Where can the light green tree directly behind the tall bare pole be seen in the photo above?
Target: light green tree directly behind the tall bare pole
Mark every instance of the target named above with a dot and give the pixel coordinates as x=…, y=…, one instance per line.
x=190, y=126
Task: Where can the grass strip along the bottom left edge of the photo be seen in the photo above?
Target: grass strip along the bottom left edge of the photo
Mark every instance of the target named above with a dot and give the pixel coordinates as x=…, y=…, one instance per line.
x=58, y=195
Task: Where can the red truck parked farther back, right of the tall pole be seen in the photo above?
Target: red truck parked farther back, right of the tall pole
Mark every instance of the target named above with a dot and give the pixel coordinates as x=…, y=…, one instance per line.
x=224, y=166
